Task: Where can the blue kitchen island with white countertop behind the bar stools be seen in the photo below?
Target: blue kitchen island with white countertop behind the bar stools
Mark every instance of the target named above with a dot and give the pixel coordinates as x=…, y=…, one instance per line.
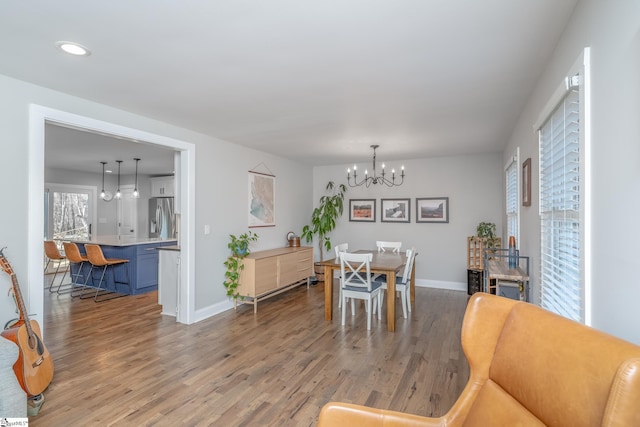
x=141, y=270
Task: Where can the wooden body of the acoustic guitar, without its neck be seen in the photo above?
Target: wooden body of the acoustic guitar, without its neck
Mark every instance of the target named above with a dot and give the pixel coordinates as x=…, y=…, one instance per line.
x=34, y=367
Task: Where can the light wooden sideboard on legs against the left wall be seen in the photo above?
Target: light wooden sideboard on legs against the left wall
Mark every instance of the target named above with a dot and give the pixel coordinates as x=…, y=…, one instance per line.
x=268, y=273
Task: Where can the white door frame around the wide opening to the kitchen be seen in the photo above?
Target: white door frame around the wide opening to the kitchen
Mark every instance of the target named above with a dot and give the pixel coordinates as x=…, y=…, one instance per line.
x=38, y=116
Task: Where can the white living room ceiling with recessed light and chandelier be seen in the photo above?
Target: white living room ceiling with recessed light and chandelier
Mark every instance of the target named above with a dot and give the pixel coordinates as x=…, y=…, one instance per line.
x=314, y=81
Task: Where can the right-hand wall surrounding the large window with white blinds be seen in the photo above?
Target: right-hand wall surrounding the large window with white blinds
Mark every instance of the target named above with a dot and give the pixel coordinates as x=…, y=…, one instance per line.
x=612, y=31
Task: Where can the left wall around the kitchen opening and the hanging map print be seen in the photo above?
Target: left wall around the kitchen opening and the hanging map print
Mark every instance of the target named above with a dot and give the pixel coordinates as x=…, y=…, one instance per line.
x=221, y=188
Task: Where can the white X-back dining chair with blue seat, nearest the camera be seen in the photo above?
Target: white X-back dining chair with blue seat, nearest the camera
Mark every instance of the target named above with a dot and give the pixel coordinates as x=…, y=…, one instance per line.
x=356, y=283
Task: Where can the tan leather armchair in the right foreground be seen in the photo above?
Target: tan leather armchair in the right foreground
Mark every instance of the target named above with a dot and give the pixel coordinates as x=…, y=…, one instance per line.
x=528, y=367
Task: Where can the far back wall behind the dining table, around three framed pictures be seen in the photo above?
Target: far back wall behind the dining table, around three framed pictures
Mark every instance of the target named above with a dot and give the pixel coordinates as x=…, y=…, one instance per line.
x=474, y=187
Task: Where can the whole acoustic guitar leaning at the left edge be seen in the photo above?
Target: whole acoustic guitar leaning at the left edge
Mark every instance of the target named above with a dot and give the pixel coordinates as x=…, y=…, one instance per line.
x=34, y=367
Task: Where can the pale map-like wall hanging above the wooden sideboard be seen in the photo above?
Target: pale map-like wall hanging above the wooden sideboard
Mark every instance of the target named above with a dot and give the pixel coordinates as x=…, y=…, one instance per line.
x=262, y=200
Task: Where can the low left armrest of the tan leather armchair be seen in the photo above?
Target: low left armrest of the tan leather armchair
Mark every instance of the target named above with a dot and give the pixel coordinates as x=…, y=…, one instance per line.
x=335, y=414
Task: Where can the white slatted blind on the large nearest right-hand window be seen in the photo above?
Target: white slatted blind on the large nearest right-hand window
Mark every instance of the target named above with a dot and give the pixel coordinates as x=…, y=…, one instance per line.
x=560, y=209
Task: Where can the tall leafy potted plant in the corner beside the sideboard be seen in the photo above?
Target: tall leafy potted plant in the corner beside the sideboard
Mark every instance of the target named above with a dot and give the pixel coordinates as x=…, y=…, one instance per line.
x=323, y=219
